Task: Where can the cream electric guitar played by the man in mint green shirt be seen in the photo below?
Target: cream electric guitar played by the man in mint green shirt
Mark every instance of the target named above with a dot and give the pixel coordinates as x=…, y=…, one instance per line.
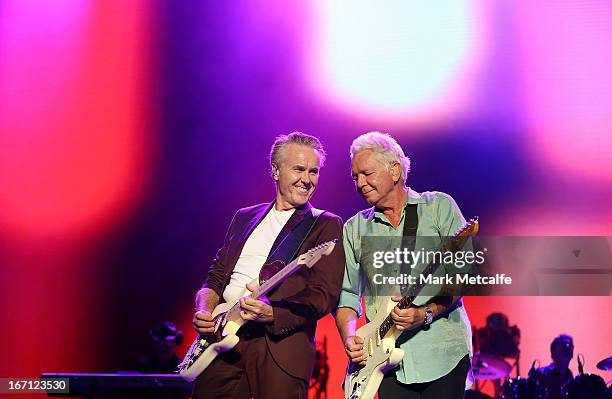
x=380, y=334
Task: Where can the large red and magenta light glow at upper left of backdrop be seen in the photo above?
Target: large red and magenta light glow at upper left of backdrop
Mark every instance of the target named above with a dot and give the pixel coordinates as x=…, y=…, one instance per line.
x=72, y=121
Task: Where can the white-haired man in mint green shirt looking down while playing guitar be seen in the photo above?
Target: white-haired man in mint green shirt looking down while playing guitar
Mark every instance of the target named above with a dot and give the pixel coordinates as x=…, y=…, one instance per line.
x=436, y=336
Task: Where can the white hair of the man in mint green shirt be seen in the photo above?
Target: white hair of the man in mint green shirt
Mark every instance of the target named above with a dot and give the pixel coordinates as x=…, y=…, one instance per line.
x=387, y=150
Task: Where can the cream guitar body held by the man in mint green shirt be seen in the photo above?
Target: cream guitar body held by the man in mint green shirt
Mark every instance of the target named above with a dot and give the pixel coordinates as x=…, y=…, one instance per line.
x=382, y=356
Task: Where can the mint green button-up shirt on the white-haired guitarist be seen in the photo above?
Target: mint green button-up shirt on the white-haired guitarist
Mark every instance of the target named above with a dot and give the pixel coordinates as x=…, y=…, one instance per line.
x=428, y=353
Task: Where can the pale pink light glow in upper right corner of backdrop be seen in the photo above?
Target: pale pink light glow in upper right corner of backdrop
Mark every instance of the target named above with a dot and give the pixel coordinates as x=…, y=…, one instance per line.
x=567, y=56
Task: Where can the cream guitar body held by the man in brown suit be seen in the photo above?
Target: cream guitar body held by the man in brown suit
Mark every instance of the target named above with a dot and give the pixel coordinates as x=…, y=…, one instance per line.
x=206, y=348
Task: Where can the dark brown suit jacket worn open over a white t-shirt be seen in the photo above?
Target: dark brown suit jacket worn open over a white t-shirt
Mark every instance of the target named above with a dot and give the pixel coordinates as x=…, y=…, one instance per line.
x=299, y=301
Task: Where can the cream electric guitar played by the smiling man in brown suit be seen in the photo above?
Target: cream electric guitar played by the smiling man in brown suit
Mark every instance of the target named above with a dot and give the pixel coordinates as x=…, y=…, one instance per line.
x=226, y=316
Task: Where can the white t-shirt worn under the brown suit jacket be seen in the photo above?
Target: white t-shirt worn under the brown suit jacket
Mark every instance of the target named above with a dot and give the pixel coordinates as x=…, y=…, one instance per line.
x=255, y=252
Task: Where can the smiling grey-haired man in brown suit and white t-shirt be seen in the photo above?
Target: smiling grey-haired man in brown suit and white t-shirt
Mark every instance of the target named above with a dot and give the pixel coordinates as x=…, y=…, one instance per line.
x=275, y=355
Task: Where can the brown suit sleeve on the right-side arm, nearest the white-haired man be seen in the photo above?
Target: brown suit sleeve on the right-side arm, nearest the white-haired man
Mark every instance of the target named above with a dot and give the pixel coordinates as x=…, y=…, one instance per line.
x=321, y=294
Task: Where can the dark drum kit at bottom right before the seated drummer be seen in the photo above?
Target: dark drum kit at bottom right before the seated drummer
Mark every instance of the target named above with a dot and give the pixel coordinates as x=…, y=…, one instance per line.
x=486, y=367
